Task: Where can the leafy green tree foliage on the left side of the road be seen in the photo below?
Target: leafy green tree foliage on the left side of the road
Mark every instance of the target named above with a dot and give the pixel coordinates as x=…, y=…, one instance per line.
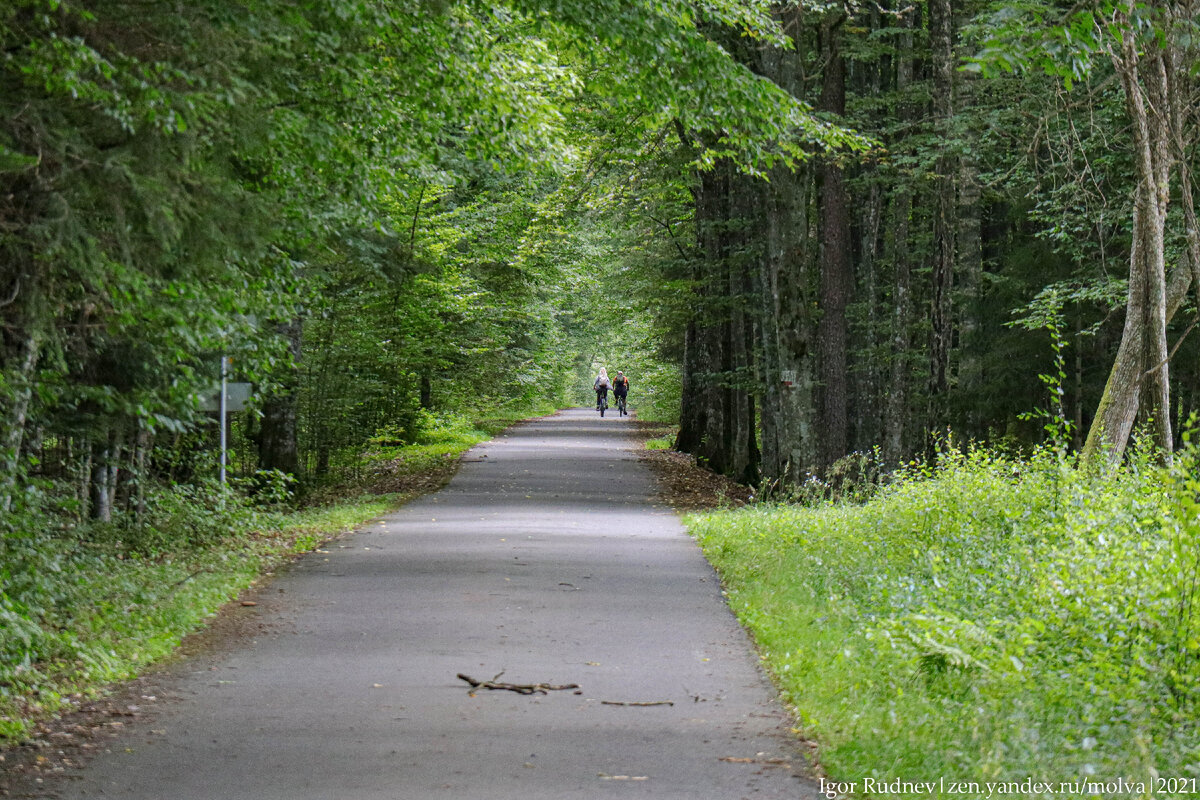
x=172, y=176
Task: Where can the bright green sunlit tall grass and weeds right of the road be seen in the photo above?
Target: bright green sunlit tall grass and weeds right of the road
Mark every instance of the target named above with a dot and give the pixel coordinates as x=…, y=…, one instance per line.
x=991, y=621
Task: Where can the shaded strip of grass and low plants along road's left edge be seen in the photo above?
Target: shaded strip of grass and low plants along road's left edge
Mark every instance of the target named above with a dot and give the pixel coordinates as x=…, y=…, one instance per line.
x=83, y=607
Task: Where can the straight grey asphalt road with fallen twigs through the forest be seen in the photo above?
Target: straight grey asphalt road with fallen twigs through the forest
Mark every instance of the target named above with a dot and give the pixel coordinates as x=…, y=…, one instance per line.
x=545, y=561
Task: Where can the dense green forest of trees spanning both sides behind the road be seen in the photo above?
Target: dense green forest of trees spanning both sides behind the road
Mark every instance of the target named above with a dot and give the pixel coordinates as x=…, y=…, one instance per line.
x=806, y=231
